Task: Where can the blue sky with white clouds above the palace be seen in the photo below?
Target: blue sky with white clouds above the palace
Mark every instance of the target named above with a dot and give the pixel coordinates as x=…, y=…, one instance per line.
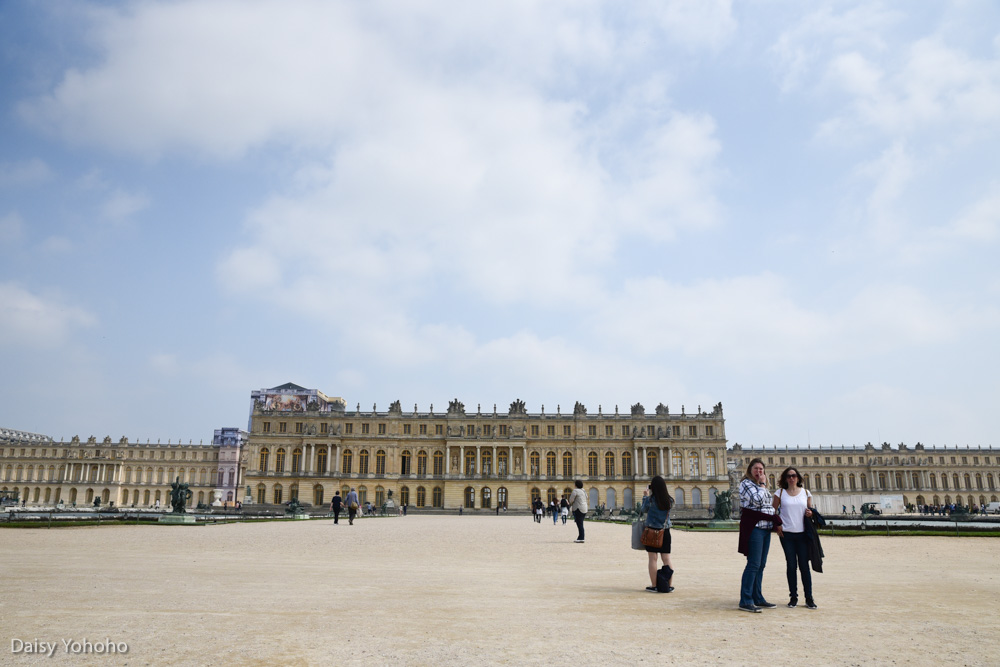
x=790, y=208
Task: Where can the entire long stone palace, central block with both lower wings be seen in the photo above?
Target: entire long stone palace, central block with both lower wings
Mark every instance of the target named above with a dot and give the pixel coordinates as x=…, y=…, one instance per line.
x=304, y=444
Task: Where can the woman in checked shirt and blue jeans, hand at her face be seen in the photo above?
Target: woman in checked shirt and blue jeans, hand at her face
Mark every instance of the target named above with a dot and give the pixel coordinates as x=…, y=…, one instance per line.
x=757, y=519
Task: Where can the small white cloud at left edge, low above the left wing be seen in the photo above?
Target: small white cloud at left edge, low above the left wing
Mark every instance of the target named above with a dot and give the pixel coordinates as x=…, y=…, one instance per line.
x=37, y=321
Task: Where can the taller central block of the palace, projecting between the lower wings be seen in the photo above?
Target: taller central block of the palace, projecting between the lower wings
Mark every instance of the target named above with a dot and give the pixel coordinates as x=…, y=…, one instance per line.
x=304, y=444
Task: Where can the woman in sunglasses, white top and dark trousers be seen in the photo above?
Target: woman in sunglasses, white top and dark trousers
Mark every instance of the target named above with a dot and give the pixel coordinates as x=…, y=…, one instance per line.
x=794, y=505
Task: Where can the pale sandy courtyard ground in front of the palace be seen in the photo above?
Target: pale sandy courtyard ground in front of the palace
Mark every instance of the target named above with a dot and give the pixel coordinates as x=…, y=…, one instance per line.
x=466, y=590
